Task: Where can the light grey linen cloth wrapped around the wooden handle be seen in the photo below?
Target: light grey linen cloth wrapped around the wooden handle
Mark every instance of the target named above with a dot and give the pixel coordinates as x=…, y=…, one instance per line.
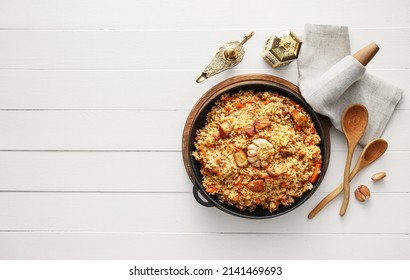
x=331, y=79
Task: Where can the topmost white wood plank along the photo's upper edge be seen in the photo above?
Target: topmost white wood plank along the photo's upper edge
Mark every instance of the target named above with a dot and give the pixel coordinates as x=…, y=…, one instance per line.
x=196, y=14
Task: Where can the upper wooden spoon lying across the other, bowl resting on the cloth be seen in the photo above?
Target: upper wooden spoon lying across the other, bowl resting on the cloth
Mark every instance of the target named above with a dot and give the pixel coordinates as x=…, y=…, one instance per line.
x=354, y=122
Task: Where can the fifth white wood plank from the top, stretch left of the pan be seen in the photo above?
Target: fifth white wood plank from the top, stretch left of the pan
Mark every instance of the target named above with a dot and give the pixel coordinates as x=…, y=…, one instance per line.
x=84, y=171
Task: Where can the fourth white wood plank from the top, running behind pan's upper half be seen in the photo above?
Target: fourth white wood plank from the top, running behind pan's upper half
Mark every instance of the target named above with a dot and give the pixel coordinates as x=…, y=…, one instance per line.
x=129, y=130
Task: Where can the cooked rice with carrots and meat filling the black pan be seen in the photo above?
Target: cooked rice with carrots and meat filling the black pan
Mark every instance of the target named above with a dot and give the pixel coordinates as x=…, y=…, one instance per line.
x=293, y=159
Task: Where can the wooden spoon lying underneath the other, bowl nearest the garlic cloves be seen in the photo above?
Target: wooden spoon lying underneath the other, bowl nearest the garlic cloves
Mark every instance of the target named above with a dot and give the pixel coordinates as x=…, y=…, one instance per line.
x=371, y=152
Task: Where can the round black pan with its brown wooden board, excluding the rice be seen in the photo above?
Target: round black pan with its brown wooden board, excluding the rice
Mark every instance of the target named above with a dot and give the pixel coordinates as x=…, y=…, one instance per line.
x=197, y=119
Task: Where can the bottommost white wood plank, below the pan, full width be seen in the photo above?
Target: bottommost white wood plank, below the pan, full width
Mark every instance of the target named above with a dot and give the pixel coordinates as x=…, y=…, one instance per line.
x=34, y=246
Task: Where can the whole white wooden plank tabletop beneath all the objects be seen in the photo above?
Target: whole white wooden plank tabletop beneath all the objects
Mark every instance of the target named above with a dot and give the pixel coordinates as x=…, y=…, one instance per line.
x=93, y=98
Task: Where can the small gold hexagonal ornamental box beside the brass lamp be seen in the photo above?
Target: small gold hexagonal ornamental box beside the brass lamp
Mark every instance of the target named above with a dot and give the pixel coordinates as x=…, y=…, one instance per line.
x=282, y=48
